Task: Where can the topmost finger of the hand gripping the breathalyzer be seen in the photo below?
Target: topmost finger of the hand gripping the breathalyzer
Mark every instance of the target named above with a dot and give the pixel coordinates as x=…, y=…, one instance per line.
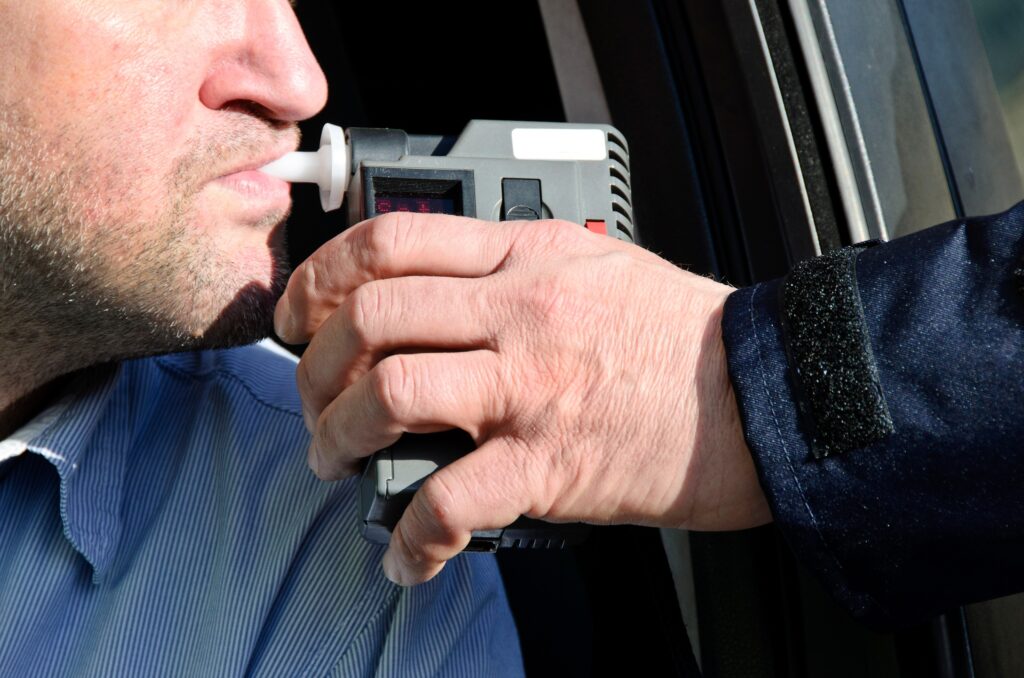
x=390, y=246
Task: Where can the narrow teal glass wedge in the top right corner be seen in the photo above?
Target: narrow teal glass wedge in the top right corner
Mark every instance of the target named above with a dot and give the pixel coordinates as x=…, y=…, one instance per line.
x=1002, y=27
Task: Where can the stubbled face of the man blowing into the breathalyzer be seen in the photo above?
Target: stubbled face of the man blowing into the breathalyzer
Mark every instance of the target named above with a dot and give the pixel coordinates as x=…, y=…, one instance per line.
x=127, y=130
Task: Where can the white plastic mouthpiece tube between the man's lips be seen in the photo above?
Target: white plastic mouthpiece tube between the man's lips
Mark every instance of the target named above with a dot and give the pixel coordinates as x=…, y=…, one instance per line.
x=328, y=168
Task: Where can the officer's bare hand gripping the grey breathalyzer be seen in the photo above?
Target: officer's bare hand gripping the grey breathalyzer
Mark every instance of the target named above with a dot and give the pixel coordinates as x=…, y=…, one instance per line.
x=590, y=372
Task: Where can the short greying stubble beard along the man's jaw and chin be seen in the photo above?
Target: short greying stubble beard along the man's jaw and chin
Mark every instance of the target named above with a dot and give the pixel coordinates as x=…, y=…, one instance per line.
x=70, y=296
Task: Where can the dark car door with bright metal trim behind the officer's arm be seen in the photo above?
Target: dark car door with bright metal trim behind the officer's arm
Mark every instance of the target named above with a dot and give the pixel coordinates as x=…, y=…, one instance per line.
x=806, y=125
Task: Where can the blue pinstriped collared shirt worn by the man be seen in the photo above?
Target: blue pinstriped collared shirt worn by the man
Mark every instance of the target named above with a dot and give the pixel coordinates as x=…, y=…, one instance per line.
x=160, y=521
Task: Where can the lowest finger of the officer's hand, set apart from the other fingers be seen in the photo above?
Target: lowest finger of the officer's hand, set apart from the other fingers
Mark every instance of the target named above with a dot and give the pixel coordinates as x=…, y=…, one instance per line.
x=486, y=490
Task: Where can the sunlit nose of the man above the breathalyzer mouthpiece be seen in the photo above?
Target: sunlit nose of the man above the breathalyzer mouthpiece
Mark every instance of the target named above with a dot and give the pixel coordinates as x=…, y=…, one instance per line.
x=268, y=63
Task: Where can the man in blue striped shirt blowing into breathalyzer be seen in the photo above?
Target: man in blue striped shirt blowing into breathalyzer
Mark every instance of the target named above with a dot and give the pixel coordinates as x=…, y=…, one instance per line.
x=158, y=519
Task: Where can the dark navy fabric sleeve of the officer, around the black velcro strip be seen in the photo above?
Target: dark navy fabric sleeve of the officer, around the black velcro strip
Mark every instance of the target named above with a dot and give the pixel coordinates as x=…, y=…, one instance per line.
x=932, y=516
